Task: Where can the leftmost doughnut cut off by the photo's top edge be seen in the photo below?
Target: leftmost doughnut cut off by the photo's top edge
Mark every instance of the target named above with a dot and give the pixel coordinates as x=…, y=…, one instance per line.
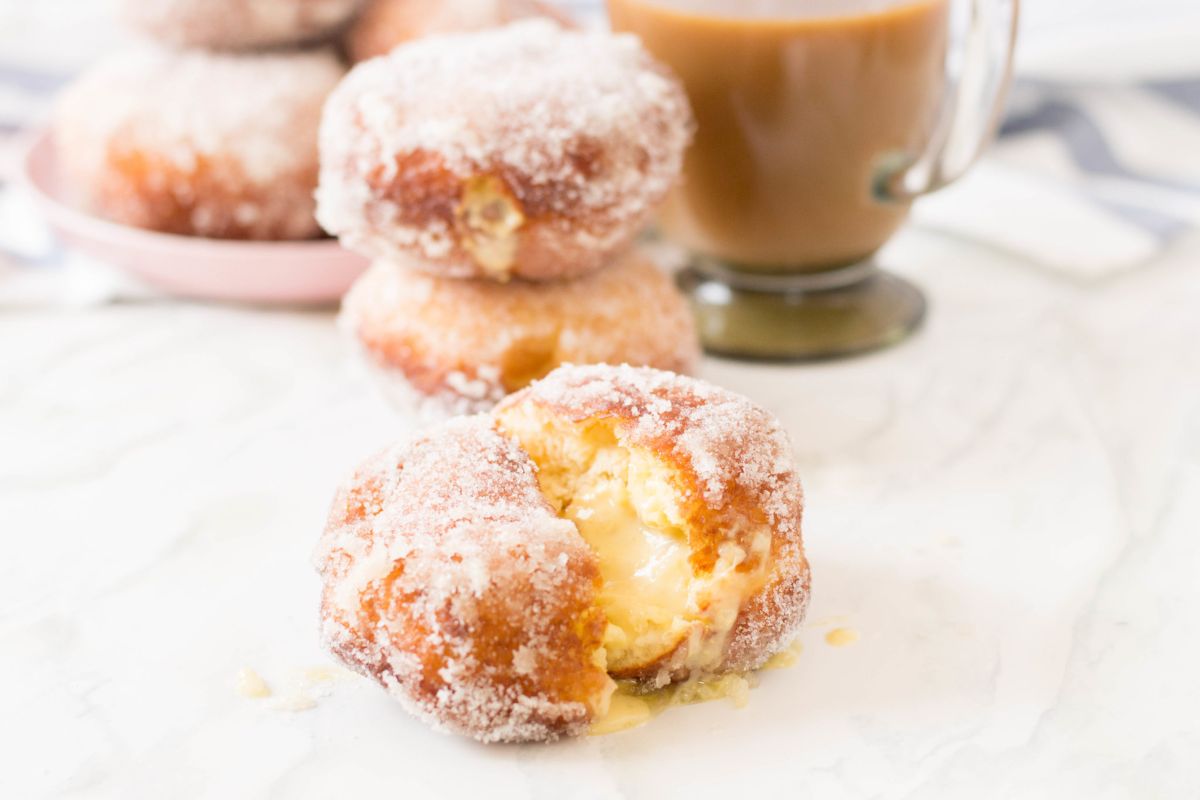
x=237, y=25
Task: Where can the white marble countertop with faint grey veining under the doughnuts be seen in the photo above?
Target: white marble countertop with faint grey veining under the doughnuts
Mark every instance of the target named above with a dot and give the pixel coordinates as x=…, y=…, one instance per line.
x=1006, y=510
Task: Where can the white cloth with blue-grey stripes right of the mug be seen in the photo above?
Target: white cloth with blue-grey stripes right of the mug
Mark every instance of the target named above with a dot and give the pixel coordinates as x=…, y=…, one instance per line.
x=1088, y=181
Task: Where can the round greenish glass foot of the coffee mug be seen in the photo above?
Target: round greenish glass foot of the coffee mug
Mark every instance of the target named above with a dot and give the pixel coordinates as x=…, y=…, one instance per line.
x=812, y=317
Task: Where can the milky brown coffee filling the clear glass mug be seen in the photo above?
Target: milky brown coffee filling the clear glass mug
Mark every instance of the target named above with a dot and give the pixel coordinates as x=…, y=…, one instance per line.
x=797, y=104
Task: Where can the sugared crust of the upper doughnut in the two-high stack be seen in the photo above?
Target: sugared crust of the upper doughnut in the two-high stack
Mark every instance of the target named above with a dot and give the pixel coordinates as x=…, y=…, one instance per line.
x=585, y=130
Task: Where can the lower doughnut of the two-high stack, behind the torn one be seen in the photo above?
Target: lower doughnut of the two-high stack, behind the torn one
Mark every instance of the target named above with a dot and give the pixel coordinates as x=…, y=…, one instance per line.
x=447, y=347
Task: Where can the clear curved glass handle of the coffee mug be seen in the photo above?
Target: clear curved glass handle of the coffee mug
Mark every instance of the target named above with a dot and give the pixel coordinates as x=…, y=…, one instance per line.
x=973, y=112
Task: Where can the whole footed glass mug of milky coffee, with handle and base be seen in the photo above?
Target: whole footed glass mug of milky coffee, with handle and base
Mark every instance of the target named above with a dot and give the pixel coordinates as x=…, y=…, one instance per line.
x=819, y=123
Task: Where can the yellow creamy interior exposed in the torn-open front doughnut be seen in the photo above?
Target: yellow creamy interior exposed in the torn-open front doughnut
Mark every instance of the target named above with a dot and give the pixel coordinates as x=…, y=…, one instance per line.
x=663, y=617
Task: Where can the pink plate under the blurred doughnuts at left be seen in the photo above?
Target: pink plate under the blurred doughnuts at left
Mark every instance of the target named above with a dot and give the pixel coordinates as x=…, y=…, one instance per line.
x=245, y=272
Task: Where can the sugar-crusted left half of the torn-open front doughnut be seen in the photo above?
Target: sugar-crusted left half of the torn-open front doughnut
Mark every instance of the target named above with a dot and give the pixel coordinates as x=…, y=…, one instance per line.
x=440, y=544
